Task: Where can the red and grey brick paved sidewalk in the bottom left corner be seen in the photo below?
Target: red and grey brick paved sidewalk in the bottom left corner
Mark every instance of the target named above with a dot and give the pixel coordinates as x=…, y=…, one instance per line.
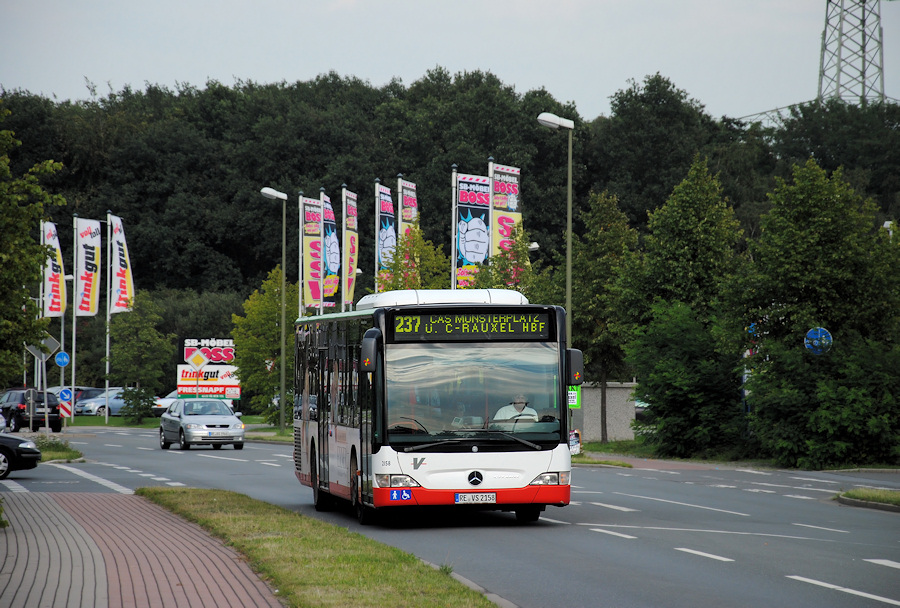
x=112, y=550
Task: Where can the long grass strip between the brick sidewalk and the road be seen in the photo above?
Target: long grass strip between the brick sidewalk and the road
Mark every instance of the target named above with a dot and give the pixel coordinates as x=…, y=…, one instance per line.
x=310, y=562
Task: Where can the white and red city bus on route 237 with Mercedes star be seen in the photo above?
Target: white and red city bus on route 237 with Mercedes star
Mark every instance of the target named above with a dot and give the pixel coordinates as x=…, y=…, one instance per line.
x=405, y=401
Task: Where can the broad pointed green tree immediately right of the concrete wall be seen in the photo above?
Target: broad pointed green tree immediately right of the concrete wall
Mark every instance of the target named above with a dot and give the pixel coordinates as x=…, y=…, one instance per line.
x=671, y=296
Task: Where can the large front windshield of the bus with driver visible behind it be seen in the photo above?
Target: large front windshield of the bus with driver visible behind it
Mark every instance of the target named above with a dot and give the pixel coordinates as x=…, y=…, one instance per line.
x=463, y=393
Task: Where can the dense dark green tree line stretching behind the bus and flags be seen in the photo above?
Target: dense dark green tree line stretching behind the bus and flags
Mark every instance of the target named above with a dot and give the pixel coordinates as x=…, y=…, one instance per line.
x=677, y=219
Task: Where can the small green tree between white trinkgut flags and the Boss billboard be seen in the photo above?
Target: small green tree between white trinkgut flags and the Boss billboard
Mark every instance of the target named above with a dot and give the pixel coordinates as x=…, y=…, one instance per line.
x=137, y=349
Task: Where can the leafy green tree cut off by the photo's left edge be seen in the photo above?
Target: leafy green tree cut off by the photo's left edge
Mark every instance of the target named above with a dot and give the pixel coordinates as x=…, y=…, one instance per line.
x=22, y=257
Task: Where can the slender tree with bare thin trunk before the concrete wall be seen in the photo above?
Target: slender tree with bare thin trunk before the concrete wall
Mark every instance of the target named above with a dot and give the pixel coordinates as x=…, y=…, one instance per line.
x=598, y=257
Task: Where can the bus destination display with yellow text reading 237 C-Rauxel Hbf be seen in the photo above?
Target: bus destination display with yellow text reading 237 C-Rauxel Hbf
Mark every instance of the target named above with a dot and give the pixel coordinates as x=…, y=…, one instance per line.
x=485, y=326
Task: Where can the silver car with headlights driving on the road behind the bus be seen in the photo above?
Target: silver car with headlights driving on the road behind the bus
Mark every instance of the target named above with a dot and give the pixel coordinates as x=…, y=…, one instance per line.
x=190, y=422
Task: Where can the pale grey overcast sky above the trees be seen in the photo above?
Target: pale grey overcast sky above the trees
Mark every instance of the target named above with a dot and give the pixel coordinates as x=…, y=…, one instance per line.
x=736, y=57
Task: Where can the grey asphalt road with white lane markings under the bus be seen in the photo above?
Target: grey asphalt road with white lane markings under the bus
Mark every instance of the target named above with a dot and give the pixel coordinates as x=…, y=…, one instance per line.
x=660, y=534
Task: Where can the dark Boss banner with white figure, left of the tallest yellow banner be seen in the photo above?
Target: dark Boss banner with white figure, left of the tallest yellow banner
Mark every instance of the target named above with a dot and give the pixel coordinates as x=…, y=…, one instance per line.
x=472, y=220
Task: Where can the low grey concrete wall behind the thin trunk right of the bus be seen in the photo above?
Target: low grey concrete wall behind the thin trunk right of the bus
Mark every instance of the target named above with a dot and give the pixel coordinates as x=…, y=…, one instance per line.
x=619, y=412
